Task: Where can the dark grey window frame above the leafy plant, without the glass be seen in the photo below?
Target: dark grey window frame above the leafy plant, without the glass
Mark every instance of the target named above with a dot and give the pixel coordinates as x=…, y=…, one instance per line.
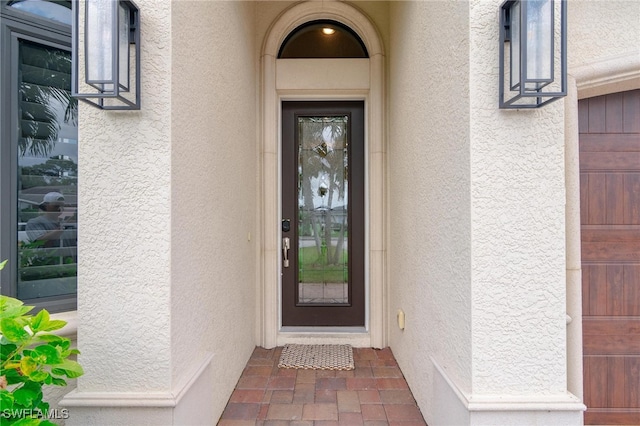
x=16, y=24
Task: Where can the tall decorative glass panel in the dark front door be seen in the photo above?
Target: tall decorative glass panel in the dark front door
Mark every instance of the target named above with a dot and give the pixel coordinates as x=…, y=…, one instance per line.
x=323, y=249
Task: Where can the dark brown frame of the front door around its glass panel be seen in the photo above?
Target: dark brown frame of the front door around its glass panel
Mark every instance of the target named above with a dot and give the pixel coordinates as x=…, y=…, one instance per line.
x=340, y=315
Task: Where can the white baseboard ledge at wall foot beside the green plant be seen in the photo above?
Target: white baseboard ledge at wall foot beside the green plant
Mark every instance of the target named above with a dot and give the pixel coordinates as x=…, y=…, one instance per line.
x=170, y=399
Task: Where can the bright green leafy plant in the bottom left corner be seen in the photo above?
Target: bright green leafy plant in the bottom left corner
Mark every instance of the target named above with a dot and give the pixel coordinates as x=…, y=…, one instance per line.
x=31, y=357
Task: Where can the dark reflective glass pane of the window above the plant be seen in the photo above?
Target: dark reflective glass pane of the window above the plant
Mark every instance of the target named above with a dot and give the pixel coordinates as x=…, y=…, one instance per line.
x=47, y=173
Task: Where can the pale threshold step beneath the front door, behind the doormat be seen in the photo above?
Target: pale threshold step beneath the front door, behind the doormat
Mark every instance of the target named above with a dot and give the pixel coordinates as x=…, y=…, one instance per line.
x=357, y=337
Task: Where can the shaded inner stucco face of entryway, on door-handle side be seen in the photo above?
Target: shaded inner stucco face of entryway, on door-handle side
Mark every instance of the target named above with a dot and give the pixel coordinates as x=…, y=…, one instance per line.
x=214, y=163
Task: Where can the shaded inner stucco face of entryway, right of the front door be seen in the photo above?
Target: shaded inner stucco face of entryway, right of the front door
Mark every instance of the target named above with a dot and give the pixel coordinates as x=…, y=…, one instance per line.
x=429, y=200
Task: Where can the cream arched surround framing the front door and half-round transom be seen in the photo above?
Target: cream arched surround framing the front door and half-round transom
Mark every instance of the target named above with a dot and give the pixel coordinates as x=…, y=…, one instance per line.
x=295, y=79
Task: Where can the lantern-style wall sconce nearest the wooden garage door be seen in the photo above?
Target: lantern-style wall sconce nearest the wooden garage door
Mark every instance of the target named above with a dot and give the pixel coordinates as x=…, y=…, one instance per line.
x=533, y=47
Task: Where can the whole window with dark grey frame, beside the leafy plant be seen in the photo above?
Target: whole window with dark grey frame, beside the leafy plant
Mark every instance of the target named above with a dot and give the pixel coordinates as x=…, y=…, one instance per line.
x=39, y=155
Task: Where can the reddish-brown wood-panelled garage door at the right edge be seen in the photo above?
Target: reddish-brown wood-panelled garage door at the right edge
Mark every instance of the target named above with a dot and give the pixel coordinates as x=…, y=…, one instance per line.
x=610, y=217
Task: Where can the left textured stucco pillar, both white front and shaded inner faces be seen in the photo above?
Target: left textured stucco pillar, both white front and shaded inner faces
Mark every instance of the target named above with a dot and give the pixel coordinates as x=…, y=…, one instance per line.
x=168, y=196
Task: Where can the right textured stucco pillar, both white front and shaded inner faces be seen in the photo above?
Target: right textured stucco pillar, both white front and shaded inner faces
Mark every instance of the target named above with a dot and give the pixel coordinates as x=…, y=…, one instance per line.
x=476, y=214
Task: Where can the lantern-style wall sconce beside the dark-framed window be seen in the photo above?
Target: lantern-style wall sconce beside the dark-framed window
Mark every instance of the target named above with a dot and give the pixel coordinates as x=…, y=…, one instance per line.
x=110, y=51
